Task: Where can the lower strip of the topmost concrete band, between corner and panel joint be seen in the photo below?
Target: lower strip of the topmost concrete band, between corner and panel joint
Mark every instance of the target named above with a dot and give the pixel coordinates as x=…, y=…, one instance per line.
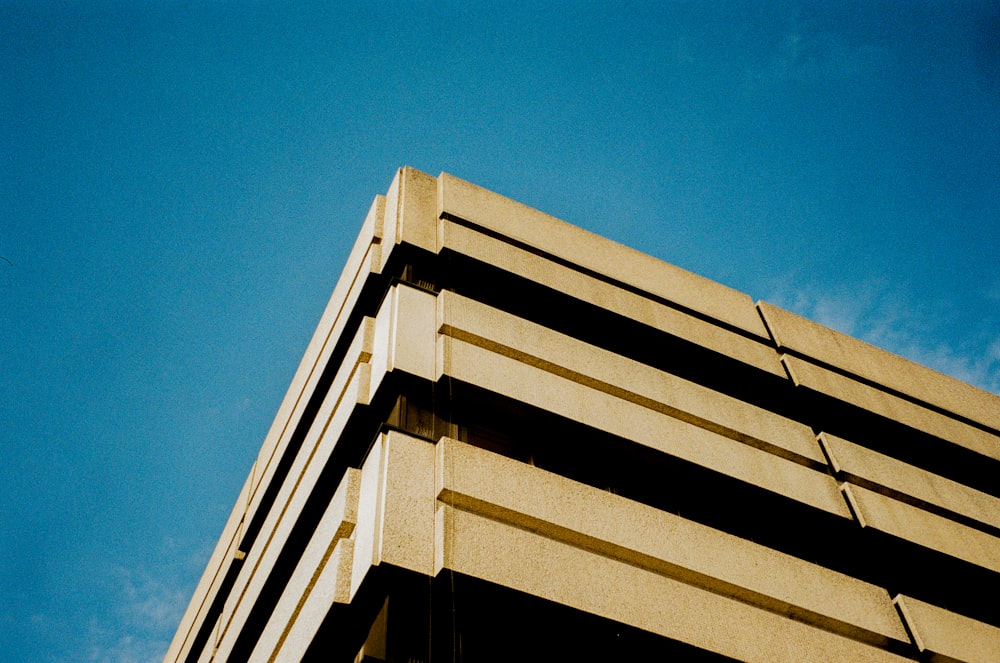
x=757, y=353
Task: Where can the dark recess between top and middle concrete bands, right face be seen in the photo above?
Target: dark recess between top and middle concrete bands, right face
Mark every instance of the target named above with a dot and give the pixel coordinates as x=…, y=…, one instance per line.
x=590, y=323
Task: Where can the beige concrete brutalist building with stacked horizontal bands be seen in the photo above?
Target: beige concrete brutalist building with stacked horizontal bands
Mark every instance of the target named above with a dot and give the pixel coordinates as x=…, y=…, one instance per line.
x=511, y=439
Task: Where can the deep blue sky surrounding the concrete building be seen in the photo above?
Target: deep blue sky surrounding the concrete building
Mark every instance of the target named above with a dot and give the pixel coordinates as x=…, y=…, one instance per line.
x=180, y=183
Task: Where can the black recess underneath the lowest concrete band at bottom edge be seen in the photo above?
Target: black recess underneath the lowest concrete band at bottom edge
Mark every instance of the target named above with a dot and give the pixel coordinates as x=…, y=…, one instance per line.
x=457, y=619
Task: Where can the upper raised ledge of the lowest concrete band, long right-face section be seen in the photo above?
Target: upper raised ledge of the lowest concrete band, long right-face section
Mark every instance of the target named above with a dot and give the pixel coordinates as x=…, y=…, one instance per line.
x=490, y=485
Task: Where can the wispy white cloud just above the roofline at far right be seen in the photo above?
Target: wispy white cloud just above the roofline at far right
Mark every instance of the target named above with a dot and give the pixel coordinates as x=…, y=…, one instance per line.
x=887, y=317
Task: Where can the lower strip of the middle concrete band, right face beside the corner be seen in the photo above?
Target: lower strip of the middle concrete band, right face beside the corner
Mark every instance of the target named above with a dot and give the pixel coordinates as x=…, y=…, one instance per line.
x=529, y=384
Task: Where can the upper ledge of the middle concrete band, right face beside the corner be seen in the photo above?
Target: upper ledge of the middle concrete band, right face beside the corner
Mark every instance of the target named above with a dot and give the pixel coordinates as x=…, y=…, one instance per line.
x=527, y=342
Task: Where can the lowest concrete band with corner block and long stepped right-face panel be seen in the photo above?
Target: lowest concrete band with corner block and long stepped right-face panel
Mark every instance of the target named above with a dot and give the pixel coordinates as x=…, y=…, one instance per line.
x=493, y=518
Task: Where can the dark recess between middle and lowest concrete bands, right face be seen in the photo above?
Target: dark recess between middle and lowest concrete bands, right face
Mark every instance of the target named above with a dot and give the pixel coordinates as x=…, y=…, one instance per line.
x=583, y=454
